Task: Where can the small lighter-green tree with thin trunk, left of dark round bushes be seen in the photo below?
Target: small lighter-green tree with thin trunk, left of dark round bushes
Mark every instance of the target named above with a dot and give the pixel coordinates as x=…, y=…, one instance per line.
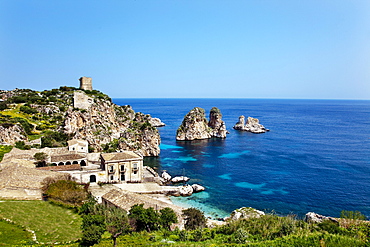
x=116, y=221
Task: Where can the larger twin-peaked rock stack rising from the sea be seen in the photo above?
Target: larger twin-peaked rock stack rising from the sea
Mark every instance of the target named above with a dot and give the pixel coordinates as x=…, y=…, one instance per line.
x=196, y=127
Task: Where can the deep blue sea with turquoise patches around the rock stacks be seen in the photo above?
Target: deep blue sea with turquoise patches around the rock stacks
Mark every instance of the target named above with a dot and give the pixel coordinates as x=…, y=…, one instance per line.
x=316, y=158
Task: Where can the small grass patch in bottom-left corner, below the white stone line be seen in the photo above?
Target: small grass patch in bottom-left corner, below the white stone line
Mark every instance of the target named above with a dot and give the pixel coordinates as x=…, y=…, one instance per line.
x=11, y=234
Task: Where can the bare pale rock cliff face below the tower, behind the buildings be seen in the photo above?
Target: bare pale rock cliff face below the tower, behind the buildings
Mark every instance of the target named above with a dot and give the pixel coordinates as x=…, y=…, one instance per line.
x=117, y=127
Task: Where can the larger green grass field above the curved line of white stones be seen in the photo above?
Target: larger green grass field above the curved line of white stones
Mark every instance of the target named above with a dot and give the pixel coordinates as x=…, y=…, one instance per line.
x=51, y=223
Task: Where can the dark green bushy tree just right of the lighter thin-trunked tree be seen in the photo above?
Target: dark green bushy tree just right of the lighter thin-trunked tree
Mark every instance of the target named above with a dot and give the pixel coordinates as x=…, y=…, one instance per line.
x=145, y=219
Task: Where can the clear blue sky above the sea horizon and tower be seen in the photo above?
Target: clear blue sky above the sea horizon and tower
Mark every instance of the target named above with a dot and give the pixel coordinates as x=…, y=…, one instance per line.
x=313, y=49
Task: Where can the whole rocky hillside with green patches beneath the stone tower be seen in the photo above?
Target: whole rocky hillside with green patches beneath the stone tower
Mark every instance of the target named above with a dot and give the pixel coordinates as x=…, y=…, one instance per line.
x=59, y=115
